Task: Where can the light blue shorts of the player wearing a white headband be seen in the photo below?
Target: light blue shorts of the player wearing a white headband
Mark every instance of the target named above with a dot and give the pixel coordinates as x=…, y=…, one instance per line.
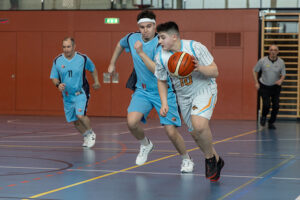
x=143, y=102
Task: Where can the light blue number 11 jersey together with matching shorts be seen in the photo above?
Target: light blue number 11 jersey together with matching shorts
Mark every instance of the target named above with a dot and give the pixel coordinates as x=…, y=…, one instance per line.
x=72, y=74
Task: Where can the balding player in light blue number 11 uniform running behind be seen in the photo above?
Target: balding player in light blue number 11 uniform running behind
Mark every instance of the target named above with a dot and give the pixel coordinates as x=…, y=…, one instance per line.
x=68, y=75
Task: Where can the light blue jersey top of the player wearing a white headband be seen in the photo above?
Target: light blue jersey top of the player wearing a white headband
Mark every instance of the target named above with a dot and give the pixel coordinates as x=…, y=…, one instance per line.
x=145, y=78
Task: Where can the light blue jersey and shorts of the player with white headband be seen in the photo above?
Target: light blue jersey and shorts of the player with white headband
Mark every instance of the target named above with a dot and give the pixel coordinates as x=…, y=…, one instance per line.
x=146, y=96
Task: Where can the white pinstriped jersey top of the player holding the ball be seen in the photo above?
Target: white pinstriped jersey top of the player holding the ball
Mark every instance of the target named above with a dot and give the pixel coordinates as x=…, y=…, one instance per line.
x=194, y=84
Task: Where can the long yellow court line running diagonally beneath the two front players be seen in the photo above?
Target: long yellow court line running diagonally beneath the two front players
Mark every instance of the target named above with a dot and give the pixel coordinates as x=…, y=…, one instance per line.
x=133, y=167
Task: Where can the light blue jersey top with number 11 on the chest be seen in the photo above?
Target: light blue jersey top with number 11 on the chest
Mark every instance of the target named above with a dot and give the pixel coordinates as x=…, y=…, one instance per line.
x=72, y=73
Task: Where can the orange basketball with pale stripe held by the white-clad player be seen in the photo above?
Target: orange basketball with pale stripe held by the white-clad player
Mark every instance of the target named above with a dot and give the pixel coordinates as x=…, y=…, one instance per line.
x=181, y=64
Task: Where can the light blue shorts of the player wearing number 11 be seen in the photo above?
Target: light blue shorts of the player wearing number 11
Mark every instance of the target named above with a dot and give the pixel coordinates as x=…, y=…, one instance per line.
x=75, y=105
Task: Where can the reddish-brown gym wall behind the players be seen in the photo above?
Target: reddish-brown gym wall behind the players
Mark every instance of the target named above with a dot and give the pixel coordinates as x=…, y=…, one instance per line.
x=32, y=39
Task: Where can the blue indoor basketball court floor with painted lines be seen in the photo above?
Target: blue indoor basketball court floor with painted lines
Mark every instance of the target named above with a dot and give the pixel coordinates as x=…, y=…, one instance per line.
x=42, y=158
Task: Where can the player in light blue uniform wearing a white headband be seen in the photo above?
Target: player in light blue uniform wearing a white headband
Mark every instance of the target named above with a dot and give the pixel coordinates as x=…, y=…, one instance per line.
x=142, y=46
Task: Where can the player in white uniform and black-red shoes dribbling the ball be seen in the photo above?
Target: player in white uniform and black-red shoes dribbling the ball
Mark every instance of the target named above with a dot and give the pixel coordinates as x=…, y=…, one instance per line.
x=197, y=93
